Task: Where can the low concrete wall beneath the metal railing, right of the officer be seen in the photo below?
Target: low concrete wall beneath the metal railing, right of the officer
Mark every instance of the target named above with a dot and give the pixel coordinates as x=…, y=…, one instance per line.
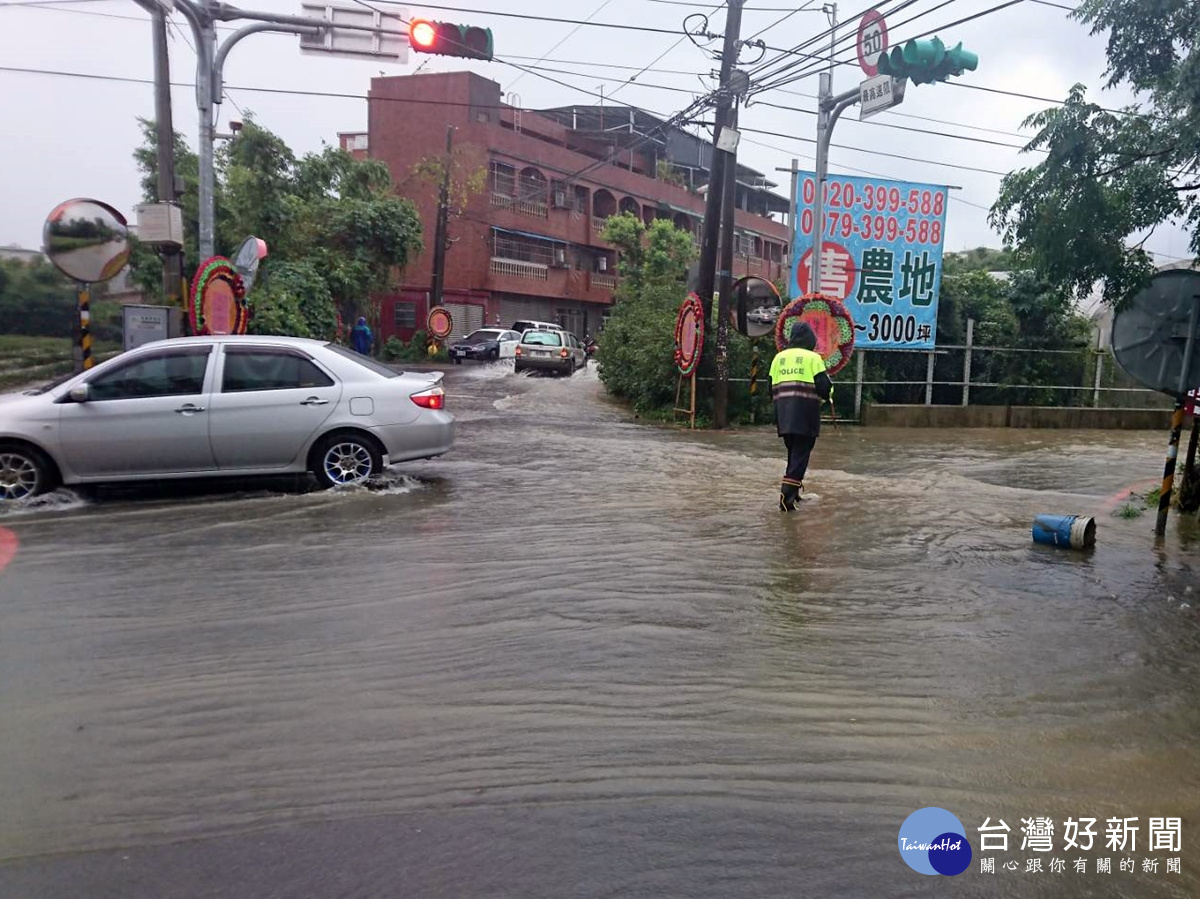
x=1075, y=418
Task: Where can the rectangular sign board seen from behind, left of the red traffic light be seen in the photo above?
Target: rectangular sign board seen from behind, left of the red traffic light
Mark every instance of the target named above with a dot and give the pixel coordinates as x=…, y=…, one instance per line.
x=374, y=32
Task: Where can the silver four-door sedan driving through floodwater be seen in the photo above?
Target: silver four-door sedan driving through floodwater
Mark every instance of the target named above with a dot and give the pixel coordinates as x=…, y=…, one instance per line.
x=201, y=407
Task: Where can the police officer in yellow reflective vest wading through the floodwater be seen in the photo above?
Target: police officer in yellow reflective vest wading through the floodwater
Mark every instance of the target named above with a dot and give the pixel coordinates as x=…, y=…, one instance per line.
x=799, y=386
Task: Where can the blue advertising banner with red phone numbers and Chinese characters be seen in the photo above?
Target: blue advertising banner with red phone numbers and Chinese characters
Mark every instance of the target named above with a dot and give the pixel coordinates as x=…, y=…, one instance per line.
x=881, y=256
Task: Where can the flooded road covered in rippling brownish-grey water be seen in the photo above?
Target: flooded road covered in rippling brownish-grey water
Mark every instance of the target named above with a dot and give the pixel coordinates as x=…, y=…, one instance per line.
x=586, y=657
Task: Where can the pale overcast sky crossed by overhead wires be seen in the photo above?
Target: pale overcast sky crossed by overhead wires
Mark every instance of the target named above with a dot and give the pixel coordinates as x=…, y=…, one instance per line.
x=69, y=137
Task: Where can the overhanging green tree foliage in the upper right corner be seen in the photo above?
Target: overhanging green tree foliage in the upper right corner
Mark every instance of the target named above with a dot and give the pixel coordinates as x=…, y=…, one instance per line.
x=1109, y=176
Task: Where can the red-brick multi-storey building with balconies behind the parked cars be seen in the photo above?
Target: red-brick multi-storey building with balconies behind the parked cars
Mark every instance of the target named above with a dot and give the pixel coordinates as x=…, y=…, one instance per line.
x=529, y=245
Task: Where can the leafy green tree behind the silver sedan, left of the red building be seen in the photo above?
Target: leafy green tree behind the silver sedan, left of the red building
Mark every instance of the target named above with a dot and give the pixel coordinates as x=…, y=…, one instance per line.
x=335, y=229
